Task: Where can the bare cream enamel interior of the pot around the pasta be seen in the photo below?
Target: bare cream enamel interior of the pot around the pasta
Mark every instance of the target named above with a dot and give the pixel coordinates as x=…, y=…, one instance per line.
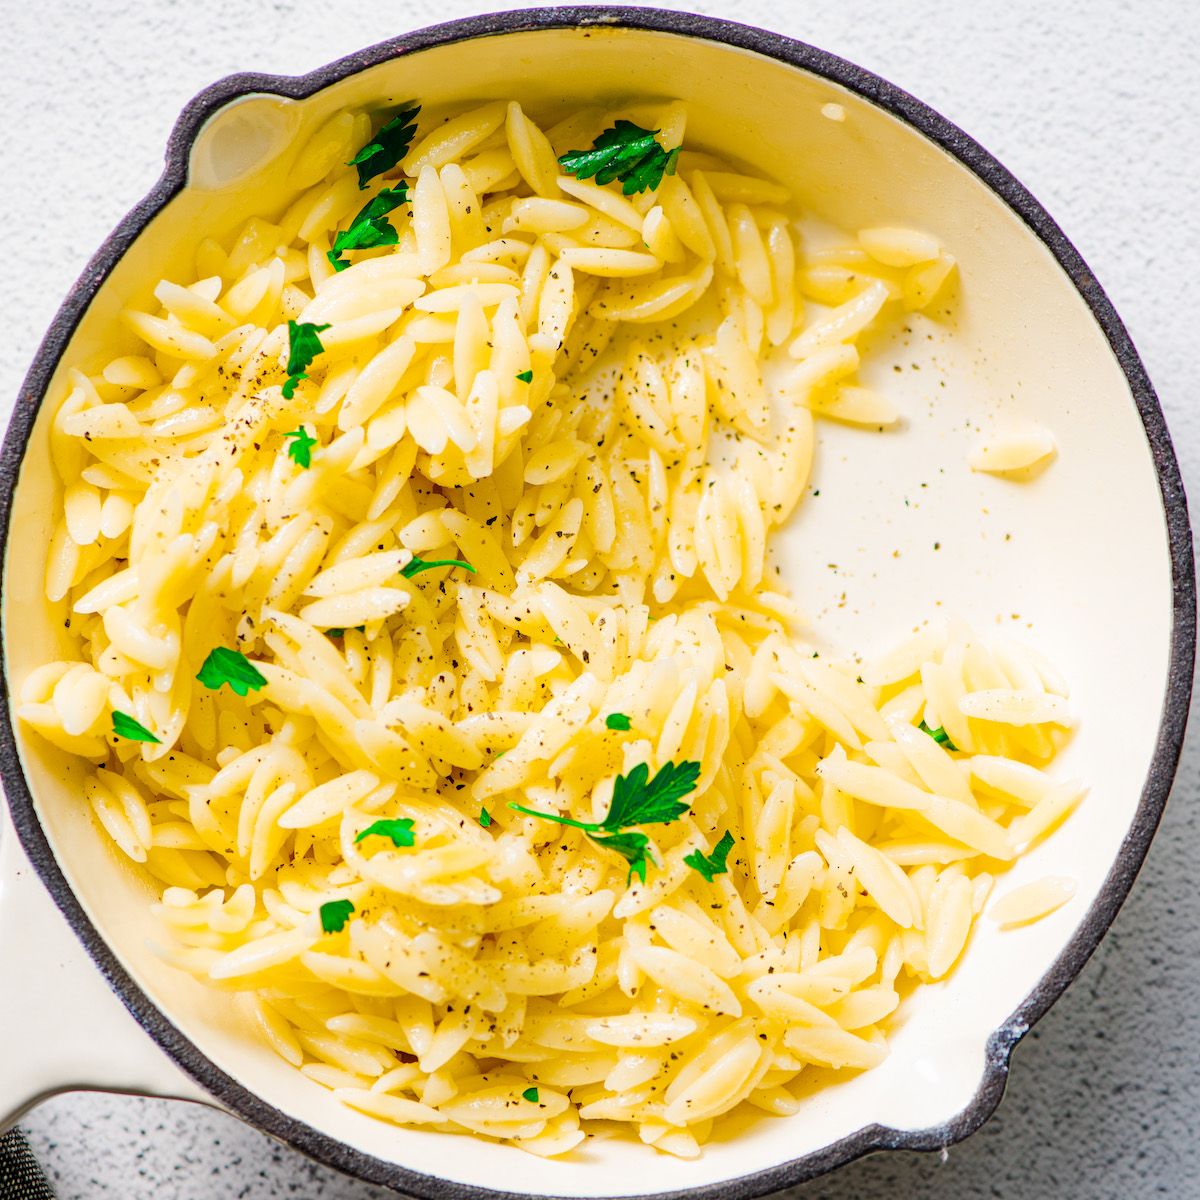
x=1076, y=561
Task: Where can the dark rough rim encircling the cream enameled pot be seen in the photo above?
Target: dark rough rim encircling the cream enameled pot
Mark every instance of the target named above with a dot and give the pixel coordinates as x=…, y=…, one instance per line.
x=937, y=129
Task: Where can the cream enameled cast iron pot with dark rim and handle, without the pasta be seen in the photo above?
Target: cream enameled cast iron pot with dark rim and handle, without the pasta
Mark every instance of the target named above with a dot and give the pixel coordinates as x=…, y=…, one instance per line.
x=1091, y=561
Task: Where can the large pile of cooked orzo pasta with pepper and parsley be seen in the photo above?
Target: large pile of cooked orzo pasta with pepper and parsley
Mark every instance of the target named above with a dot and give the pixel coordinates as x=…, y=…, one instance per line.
x=500, y=537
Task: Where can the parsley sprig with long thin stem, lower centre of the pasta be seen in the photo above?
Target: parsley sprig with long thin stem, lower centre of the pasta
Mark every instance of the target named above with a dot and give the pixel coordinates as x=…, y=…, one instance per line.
x=637, y=800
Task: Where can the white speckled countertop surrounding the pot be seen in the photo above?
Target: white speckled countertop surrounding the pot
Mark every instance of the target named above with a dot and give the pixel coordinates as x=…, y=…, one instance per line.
x=1095, y=107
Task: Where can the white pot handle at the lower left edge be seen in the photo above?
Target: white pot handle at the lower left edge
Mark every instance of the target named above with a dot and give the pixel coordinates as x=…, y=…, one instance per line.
x=62, y=1028
